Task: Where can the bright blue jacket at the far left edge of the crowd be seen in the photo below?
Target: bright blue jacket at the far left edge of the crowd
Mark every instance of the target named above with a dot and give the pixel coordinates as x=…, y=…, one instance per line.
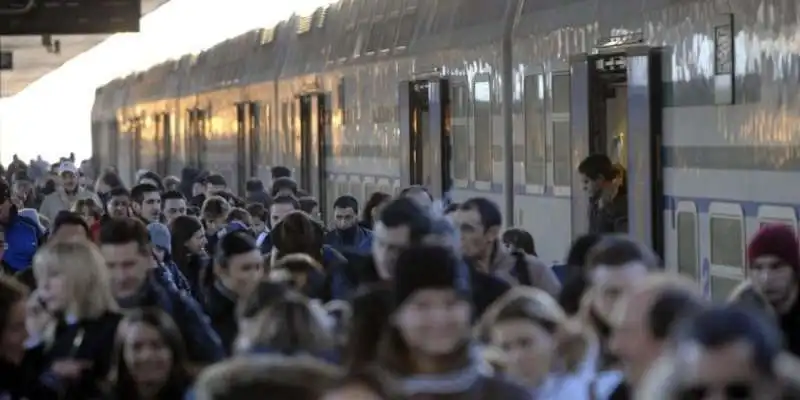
x=23, y=238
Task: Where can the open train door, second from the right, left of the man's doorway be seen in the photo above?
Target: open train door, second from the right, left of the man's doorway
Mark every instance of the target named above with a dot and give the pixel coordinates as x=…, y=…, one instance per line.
x=425, y=146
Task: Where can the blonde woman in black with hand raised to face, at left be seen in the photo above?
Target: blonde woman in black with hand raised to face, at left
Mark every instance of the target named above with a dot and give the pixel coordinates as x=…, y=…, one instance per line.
x=73, y=284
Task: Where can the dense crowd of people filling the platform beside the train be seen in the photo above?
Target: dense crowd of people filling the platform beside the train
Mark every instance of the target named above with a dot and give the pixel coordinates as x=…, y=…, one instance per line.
x=177, y=288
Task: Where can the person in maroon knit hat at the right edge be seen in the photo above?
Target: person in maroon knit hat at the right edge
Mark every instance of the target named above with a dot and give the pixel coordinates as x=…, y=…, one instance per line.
x=774, y=261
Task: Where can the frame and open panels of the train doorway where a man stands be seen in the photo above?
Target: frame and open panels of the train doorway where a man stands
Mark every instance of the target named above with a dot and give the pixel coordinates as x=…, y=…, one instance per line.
x=645, y=187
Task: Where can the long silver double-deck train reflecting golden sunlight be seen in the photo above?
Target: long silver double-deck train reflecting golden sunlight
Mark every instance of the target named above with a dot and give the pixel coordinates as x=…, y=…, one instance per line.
x=697, y=99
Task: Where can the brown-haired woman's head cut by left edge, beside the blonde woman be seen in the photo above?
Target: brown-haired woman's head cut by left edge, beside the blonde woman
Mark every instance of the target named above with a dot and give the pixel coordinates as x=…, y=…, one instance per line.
x=13, y=332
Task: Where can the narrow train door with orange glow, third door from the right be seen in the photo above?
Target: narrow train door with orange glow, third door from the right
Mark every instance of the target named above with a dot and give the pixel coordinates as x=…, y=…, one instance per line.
x=313, y=133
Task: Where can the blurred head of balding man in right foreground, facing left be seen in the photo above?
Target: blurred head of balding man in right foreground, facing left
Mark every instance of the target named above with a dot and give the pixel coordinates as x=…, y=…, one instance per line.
x=645, y=319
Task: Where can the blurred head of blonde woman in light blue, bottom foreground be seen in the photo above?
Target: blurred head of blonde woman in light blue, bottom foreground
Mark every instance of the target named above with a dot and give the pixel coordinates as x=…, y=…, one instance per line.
x=532, y=333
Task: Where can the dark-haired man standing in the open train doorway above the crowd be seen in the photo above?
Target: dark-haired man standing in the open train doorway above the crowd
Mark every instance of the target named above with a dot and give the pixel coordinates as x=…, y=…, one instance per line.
x=608, y=200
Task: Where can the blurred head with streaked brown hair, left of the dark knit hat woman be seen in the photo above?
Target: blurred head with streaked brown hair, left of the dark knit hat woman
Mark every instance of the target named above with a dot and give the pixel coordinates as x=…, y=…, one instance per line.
x=288, y=324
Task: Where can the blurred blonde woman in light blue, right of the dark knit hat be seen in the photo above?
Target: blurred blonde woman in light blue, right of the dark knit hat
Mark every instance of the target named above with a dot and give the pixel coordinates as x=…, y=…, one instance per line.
x=536, y=344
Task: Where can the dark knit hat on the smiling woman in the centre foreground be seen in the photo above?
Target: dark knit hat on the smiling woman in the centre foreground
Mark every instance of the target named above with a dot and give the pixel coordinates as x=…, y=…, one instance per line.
x=428, y=267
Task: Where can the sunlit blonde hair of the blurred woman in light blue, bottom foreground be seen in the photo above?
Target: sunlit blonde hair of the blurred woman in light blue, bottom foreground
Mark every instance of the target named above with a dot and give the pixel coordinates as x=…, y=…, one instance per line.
x=538, y=307
